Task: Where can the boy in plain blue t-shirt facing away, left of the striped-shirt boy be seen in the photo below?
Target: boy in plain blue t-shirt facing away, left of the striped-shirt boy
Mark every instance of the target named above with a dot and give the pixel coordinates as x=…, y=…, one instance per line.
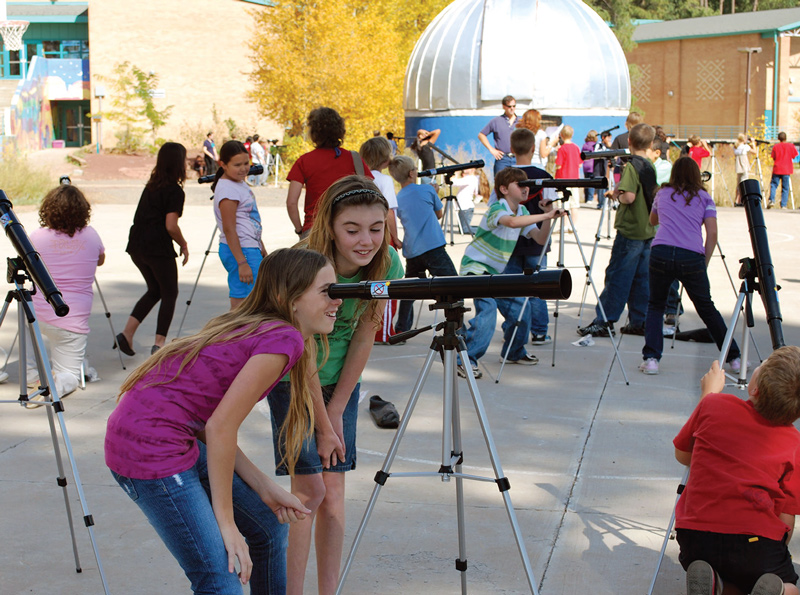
x=419, y=209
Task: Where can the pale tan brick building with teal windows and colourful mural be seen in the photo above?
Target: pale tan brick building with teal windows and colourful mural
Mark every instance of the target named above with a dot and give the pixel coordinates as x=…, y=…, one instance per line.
x=199, y=50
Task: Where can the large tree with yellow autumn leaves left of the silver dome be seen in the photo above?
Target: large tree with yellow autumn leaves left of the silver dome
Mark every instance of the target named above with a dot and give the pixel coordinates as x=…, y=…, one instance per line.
x=350, y=55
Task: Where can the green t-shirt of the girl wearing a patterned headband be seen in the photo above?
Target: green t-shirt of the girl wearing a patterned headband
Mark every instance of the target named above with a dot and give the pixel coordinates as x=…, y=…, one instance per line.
x=346, y=324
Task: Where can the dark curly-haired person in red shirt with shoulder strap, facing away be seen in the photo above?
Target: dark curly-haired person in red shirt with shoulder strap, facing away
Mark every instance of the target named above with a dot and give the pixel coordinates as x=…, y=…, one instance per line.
x=318, y=169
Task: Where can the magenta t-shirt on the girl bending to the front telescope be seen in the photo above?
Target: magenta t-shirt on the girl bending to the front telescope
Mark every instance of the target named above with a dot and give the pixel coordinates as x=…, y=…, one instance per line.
x=152, y=433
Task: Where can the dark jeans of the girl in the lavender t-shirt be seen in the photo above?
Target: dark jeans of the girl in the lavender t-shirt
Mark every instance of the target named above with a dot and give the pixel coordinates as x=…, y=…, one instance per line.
x=668, y=263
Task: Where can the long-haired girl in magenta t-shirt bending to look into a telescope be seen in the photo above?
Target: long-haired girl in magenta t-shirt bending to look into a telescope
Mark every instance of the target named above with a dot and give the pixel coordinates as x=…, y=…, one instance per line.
x=171, y=443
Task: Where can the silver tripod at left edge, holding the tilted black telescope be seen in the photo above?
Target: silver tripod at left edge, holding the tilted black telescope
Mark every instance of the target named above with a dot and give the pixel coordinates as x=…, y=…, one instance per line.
x=52, y=402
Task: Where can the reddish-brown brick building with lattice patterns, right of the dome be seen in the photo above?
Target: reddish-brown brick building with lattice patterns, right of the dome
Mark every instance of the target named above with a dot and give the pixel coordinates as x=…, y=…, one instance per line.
x=693, y=73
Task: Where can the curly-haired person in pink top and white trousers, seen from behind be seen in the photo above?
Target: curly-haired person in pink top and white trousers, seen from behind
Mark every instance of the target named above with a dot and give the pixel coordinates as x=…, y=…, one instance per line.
x=72, y=251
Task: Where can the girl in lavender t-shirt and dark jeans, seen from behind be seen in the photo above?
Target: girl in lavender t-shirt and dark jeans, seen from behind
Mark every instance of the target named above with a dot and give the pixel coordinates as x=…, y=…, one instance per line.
x=681, y=209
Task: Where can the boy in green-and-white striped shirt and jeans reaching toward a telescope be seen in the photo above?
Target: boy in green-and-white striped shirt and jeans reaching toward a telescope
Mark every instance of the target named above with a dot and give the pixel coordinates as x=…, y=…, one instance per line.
x=488, y=254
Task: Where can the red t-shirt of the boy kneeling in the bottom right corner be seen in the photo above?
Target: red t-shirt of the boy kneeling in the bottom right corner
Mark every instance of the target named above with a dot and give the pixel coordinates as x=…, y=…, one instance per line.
x=742, y=473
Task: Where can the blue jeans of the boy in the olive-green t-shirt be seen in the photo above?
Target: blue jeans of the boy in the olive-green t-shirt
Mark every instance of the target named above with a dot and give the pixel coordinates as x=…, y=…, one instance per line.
x=626, y=281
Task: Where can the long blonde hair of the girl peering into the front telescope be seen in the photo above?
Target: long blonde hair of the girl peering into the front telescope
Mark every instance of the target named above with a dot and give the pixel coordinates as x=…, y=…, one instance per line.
x=283, y=277
